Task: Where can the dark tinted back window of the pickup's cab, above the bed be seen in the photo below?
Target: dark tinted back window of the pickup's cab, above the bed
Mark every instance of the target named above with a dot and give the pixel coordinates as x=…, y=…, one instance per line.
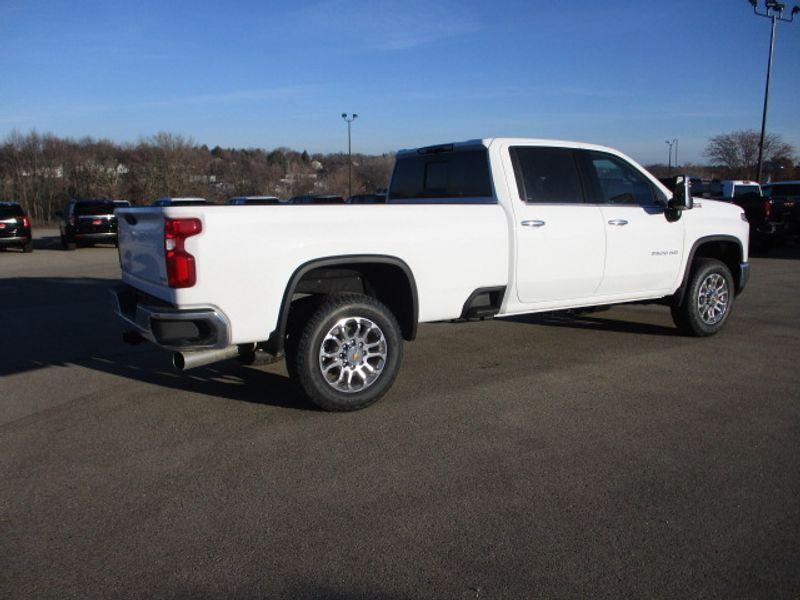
x=460, y=176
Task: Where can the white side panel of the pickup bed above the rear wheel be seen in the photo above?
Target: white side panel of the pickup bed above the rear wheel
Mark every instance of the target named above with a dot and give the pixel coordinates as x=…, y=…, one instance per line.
x=246, y=255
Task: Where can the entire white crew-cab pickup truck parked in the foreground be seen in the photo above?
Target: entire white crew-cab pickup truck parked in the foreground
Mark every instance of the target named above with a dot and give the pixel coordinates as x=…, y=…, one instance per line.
x=476, y=229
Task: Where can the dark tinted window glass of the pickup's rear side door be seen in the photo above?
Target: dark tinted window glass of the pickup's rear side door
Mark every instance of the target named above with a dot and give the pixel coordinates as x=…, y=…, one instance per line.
x=546, y=175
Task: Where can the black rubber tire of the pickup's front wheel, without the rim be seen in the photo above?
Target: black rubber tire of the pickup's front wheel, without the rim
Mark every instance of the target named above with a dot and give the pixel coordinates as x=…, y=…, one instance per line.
x=687, y=315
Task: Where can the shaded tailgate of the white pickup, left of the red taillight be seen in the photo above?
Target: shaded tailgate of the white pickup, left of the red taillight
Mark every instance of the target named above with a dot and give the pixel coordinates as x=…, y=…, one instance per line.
x=141, y=246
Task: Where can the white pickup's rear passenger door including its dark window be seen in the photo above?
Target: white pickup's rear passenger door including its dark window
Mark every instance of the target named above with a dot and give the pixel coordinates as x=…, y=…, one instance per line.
x=560, y=239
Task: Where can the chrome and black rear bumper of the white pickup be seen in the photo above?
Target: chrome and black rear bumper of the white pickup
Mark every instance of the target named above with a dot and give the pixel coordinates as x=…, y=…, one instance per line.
x=169, y=327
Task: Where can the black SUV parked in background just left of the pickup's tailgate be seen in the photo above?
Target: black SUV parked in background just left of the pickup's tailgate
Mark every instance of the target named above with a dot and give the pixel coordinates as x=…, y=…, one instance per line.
x=88, y=222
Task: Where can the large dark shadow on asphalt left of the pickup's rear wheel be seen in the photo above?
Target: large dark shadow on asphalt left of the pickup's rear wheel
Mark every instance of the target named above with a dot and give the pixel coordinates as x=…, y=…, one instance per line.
x=63, y=321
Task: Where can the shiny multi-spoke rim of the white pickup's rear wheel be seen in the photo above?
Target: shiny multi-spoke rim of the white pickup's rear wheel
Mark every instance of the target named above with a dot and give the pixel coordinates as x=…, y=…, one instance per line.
x=352, y=354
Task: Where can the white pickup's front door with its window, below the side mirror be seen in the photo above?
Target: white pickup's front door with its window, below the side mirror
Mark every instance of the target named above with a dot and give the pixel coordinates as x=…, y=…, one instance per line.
x=644, y=250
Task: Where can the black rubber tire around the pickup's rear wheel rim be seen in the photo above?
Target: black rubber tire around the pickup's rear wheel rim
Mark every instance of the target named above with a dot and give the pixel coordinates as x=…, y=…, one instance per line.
x=306, y=337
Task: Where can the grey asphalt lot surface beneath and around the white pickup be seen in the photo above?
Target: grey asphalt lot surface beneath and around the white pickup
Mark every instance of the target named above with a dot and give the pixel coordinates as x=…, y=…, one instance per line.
x=598, y=457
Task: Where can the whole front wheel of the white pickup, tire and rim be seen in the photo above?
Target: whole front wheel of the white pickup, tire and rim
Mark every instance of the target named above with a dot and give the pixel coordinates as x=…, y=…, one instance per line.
x=708, y=299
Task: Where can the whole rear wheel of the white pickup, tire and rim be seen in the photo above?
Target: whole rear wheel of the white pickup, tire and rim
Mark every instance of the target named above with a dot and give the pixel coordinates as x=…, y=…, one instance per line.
x=346, y=355
